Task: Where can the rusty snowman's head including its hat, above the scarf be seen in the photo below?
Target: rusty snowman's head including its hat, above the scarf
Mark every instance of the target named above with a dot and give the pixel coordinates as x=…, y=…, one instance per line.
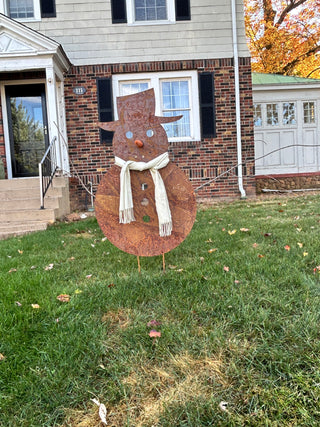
x=138, y=134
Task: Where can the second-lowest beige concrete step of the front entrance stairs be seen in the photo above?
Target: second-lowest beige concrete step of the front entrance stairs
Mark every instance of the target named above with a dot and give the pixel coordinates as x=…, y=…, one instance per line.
x=28, y=215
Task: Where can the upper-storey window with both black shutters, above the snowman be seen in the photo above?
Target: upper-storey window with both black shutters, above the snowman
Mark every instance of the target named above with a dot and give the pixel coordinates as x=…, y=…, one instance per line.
x=143, y=12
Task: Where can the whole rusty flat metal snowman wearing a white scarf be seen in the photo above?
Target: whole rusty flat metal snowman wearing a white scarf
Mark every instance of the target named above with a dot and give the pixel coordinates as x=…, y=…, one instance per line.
x=144, y=204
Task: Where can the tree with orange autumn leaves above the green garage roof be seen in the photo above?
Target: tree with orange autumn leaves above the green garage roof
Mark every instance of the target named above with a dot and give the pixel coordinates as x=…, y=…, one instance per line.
x=284, y=36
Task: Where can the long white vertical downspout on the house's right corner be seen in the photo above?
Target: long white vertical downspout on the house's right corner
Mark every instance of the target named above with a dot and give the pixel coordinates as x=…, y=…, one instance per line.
x=237, y=95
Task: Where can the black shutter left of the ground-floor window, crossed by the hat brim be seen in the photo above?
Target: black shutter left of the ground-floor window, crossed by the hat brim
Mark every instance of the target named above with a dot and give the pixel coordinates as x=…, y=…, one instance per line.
x=105, y=107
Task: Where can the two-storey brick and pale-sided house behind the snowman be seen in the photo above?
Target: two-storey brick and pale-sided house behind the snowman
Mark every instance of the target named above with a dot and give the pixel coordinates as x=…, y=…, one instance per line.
x=63, y=63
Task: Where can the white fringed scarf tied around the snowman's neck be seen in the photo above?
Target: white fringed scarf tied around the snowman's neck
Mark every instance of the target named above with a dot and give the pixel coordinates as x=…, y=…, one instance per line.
x=126, y=214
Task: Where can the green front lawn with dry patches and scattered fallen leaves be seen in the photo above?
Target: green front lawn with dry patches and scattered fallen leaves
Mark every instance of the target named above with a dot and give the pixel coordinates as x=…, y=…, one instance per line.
x=239, y=313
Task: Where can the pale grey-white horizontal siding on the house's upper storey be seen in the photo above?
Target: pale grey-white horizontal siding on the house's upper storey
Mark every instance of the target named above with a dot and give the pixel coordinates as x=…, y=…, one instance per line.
x=87, y=35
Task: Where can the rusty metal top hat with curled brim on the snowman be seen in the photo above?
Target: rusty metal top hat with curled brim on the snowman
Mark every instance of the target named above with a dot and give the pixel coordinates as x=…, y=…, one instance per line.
x=137, y=108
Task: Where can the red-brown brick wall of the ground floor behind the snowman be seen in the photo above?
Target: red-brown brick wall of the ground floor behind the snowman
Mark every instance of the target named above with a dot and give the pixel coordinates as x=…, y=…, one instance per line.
x=202, y=161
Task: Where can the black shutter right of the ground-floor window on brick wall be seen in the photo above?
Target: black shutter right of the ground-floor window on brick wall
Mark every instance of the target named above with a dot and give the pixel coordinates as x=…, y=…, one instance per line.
x=207, y=105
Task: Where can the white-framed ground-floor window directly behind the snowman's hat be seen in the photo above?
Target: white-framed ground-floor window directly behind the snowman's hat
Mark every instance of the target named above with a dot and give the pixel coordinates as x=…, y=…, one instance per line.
x=176, y=94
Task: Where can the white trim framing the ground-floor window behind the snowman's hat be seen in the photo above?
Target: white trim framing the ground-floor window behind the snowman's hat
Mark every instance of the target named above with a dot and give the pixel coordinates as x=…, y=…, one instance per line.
x=154, y=80
